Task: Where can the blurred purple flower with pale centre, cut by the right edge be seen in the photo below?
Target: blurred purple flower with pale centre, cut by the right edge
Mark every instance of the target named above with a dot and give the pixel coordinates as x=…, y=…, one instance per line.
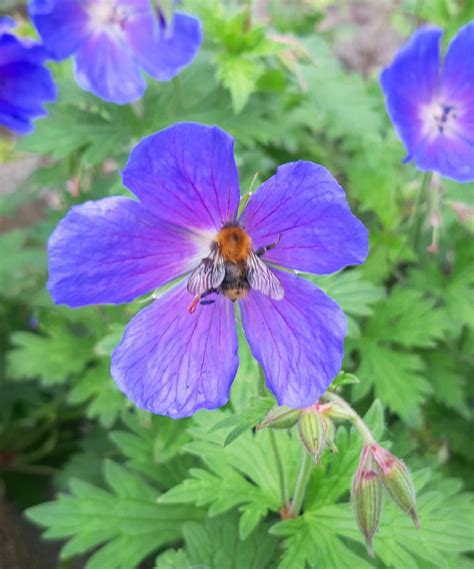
x=432, y=105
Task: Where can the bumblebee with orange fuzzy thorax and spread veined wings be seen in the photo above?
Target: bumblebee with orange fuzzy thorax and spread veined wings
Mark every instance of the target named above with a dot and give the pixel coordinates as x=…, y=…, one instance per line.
x=232, y=269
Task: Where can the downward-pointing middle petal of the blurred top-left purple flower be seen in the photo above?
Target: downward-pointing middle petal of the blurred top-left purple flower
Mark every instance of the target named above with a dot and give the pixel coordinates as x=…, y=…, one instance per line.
x=106, y=67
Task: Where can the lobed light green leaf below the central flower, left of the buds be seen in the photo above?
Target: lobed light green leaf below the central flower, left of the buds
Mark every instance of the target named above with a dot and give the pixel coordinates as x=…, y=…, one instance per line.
x=241, y=474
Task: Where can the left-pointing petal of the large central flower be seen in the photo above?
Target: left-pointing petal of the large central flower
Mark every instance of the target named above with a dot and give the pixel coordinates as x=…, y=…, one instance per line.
x=112, y=251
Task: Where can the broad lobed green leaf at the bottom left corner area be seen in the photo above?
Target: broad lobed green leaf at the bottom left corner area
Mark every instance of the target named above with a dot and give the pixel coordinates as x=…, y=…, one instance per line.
x=125, y=522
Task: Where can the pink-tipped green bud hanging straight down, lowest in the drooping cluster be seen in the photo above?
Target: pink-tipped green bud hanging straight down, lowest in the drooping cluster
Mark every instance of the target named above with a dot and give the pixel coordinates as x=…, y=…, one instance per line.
x=367, y=497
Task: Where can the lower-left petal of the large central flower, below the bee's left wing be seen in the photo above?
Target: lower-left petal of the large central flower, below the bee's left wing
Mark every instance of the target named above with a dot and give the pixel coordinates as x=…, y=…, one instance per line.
x=173, y=363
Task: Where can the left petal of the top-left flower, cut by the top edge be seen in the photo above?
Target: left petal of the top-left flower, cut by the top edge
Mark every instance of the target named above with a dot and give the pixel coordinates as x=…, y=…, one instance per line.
x=62, y=25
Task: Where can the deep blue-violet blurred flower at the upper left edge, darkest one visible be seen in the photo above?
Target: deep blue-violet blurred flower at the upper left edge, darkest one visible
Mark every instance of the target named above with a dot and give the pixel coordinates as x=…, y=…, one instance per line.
x=25, y=84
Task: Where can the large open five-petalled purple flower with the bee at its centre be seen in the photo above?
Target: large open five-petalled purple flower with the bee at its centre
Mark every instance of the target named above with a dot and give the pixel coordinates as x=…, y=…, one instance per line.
x=179, y=354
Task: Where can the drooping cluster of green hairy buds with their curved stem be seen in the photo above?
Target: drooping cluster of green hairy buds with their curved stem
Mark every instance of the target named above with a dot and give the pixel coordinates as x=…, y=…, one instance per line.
x=379, y=470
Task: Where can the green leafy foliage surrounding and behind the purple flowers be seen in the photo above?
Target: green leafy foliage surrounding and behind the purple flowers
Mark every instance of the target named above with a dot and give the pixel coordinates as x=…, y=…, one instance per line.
x=123, y=489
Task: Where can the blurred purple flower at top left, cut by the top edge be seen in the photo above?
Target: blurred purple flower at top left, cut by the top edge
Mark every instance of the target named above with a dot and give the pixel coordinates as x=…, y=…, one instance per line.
x=114, y=40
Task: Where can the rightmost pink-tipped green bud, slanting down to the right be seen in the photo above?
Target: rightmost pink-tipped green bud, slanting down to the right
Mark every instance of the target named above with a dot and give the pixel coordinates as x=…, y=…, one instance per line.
x=397, y=480
